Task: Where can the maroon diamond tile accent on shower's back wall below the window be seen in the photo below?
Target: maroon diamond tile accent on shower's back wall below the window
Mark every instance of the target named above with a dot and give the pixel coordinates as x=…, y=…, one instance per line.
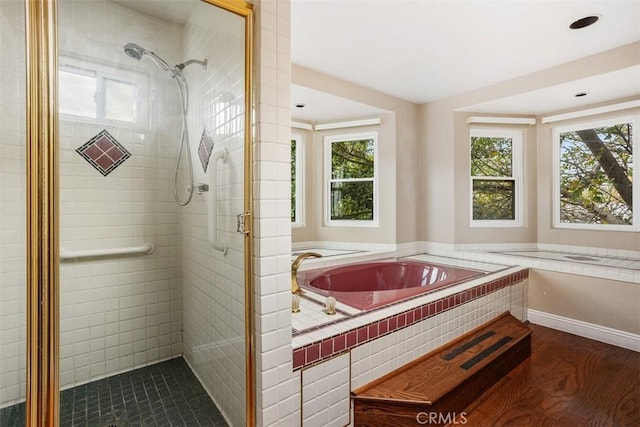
x=104, y=153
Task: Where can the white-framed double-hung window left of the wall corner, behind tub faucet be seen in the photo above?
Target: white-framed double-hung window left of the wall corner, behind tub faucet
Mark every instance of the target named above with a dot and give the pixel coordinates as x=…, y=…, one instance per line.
x=351, y=187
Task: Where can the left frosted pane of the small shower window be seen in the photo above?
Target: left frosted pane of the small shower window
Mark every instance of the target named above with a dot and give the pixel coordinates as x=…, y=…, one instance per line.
x=77, y=94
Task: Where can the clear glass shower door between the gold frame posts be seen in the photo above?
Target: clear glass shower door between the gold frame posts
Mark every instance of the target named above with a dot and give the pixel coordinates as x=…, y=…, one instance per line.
x=152, y=167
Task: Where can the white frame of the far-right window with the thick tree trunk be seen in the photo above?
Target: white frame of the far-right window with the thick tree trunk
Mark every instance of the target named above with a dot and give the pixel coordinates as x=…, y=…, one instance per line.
x=591, y=124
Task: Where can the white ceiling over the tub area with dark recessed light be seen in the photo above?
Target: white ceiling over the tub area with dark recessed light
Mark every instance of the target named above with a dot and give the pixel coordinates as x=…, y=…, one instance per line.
x=424, y=50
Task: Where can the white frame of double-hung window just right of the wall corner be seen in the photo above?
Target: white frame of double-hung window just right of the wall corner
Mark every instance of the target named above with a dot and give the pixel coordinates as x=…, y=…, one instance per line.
x=517, y=172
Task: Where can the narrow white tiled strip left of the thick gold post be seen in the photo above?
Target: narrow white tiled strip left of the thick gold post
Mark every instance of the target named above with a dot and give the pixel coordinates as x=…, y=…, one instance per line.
x=12, y=203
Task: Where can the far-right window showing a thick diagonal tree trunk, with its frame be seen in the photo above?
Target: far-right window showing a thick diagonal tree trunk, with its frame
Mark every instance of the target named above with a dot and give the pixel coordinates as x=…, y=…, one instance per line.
x=594, y=181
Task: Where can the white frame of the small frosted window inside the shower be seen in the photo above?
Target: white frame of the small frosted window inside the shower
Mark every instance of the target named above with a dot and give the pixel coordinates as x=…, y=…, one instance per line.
x=102, y=73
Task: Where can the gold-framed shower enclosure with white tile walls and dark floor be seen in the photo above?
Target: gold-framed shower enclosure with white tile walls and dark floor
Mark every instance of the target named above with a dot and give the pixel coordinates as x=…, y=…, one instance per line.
x=151, y=177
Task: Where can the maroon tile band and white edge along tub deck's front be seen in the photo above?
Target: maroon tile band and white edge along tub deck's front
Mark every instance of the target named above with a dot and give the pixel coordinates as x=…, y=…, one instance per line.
x=347, y=333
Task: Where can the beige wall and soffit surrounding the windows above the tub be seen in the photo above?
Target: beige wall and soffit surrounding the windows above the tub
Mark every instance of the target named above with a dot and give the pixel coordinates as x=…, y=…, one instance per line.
x=430, y=192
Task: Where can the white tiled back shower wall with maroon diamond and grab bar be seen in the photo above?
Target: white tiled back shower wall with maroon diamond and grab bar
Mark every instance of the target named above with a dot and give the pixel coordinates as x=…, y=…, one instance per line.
x=123, y=312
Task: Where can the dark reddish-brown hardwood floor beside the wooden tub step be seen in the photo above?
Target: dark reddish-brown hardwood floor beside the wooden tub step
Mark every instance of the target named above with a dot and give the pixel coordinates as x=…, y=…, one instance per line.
x=568, y=381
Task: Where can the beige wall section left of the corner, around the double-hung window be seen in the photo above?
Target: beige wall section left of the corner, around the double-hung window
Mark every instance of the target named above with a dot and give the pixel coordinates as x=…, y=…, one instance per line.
x=398, y=165
